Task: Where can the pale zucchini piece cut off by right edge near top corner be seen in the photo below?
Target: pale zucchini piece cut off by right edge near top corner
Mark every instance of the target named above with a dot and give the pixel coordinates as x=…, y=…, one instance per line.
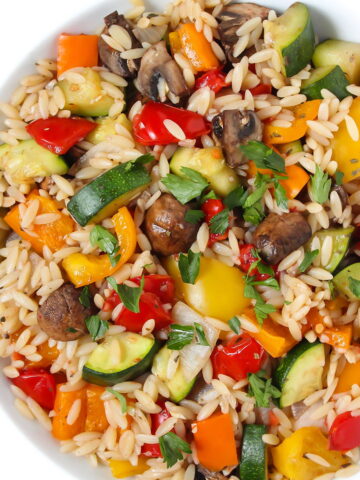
x=339, y=52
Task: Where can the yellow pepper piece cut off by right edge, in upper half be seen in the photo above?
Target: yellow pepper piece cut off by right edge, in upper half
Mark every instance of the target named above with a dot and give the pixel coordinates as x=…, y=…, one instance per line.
x=346, y=151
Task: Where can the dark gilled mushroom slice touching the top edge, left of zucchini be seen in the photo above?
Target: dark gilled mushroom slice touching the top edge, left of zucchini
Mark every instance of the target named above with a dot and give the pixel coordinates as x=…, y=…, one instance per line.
x=230, y=19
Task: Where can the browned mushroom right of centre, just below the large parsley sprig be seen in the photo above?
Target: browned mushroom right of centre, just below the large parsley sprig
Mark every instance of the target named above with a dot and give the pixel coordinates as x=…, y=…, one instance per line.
x=279, y=235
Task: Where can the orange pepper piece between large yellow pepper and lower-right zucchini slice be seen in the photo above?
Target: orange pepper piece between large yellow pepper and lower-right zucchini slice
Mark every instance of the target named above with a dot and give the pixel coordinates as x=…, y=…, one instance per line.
x=275, y=338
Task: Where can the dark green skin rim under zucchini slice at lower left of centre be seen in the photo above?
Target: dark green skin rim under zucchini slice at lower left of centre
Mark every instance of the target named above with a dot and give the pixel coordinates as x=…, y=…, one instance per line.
x=108, y=379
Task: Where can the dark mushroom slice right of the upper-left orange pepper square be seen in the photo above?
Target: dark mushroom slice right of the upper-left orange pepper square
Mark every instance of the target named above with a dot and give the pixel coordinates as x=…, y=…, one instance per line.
x=110, y=57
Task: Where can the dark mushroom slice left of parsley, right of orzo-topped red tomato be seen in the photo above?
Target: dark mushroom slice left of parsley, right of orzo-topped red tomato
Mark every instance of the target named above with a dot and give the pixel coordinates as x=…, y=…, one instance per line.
x=234, y=128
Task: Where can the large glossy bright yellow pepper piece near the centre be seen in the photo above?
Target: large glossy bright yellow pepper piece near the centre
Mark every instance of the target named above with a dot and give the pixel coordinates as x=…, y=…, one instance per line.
x=218, y=290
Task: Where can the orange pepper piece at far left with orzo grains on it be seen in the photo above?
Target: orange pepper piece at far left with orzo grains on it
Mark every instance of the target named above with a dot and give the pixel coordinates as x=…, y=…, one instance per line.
x=52, y=234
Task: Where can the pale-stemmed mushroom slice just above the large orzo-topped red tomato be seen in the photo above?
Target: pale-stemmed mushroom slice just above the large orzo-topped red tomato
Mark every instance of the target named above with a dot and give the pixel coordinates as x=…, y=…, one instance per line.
x=155, y=64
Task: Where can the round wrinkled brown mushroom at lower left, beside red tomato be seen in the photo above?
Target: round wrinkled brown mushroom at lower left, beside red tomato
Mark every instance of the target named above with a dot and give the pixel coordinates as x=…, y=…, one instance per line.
x=62, y=316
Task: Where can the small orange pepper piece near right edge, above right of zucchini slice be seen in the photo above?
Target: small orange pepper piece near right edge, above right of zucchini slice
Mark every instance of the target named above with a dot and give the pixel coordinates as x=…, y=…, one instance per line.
x=339, y=336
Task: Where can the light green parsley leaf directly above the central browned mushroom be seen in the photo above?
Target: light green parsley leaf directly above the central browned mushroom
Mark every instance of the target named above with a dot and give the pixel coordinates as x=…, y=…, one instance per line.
x=185, y=188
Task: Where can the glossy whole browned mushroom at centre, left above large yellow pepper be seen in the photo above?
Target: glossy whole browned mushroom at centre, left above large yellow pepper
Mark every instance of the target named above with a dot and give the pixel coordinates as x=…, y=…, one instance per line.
x=167, y=228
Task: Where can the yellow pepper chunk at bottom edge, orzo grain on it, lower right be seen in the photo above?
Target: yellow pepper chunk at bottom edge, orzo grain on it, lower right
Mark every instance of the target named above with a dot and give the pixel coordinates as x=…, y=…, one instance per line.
x=288, y=457
